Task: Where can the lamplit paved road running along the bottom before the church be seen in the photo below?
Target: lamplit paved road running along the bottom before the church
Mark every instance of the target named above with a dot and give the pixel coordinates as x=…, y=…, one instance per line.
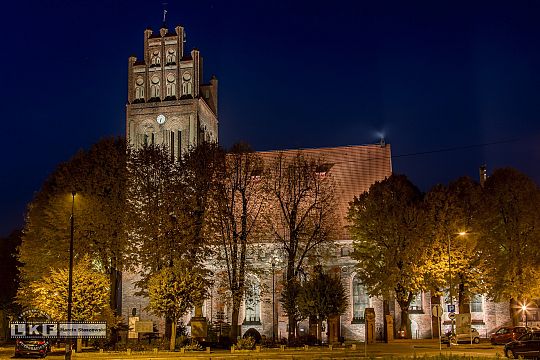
x=399, y=348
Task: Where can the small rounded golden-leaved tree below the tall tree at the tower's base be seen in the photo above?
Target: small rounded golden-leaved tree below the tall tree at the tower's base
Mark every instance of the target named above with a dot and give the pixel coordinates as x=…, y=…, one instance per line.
x=173, y=291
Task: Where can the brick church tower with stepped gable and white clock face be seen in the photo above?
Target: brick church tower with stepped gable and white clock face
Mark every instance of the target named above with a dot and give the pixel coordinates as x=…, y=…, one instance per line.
x=168, y=102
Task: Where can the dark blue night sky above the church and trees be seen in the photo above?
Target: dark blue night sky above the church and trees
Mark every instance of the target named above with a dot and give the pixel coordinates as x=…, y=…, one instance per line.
x=429, y=75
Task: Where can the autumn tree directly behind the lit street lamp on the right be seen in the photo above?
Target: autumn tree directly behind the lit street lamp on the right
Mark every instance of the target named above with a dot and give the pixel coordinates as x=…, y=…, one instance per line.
x=452, y=216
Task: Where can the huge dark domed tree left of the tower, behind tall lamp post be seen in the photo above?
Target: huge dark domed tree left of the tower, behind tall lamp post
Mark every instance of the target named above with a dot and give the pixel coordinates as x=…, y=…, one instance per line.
x=98, y=176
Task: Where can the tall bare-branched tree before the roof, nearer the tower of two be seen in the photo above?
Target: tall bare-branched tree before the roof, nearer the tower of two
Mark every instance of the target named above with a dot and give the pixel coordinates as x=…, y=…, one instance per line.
x=239, y=203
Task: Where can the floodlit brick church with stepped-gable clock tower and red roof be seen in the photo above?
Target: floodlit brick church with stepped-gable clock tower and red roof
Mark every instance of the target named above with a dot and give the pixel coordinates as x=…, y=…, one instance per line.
x=170, y=103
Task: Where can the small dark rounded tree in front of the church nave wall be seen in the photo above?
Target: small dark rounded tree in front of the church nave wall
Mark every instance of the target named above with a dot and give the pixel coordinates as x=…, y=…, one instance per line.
x=320, y=296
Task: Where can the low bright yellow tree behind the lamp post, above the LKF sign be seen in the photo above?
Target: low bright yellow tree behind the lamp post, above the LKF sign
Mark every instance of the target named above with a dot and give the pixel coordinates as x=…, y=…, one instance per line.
x=90, y=293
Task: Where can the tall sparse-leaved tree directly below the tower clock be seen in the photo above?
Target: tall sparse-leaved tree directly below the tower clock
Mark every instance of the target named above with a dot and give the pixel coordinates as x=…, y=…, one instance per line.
x=157, y=212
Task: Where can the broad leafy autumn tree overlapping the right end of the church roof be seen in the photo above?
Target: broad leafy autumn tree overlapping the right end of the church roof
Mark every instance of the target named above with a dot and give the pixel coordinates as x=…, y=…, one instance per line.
x=388, y=231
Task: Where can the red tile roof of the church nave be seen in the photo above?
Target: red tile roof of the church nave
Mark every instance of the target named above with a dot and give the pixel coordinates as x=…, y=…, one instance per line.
x=354, y=169
